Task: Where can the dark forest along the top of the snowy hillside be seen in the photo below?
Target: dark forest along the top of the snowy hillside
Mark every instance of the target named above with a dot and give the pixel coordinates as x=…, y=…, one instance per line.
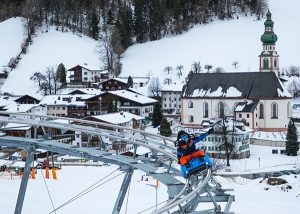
x=121, y=23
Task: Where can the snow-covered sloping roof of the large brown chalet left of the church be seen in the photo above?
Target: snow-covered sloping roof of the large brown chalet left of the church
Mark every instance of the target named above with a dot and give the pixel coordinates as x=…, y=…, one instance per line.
x=133, y=96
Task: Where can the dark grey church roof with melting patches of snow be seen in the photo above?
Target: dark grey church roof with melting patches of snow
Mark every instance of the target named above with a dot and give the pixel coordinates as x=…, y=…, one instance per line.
x=249, y=85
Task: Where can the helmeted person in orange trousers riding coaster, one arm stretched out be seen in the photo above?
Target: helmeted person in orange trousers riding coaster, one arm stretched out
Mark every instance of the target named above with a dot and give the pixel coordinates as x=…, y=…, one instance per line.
x=186, y=148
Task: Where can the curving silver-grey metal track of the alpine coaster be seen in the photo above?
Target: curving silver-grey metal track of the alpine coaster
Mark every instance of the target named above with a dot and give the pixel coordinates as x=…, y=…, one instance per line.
x=152, y=141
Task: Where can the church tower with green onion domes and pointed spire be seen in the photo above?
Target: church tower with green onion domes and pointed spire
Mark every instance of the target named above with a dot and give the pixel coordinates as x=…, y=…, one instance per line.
x=269, y=59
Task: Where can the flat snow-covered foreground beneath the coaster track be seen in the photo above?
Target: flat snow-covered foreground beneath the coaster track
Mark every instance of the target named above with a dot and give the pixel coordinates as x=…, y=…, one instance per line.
x=72, y=180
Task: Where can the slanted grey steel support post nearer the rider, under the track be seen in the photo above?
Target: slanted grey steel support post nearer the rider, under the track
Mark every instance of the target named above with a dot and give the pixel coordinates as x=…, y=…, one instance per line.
x=122, y=192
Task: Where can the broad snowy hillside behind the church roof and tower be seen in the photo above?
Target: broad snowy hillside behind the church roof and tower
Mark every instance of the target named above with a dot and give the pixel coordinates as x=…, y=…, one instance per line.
x=220, y=43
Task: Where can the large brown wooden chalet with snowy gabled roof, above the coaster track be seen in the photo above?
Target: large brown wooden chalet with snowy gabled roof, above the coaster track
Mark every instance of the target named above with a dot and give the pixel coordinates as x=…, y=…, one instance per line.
x=120, y=100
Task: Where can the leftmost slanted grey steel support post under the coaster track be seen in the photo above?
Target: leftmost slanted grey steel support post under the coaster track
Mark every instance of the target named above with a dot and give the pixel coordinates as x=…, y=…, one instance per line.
x=24, y=181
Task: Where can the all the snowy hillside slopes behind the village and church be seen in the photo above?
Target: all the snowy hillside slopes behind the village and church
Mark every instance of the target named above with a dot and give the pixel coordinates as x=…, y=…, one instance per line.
x=219, y=43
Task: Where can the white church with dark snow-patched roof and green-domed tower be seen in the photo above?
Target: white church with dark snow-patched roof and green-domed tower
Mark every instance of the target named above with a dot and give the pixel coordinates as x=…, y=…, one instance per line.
x=259, y=99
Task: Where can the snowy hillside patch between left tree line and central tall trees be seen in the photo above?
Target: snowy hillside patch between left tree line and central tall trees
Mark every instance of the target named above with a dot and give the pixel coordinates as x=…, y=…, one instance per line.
x=50, y=49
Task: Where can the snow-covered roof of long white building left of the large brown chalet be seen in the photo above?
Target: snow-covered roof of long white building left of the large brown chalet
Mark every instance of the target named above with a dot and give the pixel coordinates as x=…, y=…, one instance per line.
x=66, y=99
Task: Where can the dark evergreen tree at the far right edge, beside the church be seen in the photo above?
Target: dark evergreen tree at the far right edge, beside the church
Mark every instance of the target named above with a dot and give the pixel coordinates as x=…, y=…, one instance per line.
x=292, y=144
